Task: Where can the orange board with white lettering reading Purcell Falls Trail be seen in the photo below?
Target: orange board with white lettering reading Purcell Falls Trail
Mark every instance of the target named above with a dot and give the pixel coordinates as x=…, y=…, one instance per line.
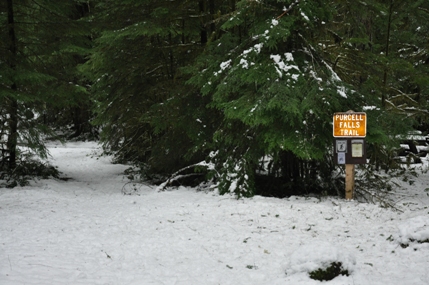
x=349, y=124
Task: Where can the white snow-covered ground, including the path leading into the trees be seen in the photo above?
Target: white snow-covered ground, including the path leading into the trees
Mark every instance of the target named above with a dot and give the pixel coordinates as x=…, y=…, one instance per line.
x=85, y=231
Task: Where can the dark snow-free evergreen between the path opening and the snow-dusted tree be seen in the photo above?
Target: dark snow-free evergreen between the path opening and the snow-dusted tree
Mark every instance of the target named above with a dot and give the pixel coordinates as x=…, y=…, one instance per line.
x=147, y=114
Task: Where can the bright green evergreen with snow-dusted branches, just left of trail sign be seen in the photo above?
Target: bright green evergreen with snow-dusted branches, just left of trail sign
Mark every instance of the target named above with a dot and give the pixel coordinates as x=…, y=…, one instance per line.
x=274, y=90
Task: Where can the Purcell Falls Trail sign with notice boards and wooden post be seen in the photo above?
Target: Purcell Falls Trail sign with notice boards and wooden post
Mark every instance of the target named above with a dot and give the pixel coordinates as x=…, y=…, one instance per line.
x=350, y=129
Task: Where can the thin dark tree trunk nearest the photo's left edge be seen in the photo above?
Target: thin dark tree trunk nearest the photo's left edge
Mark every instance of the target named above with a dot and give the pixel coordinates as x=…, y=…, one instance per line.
x=13, y=104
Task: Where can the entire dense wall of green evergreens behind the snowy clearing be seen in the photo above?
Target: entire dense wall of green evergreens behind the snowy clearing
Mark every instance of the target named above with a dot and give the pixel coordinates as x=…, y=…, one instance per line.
x=247, y=86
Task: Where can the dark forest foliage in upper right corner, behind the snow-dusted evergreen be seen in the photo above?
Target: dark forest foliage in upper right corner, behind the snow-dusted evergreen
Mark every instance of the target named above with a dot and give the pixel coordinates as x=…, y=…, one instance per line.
x=377, y=47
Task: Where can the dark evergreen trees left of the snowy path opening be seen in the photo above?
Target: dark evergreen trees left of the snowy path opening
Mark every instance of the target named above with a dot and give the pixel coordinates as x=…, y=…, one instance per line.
x=40, y=41
